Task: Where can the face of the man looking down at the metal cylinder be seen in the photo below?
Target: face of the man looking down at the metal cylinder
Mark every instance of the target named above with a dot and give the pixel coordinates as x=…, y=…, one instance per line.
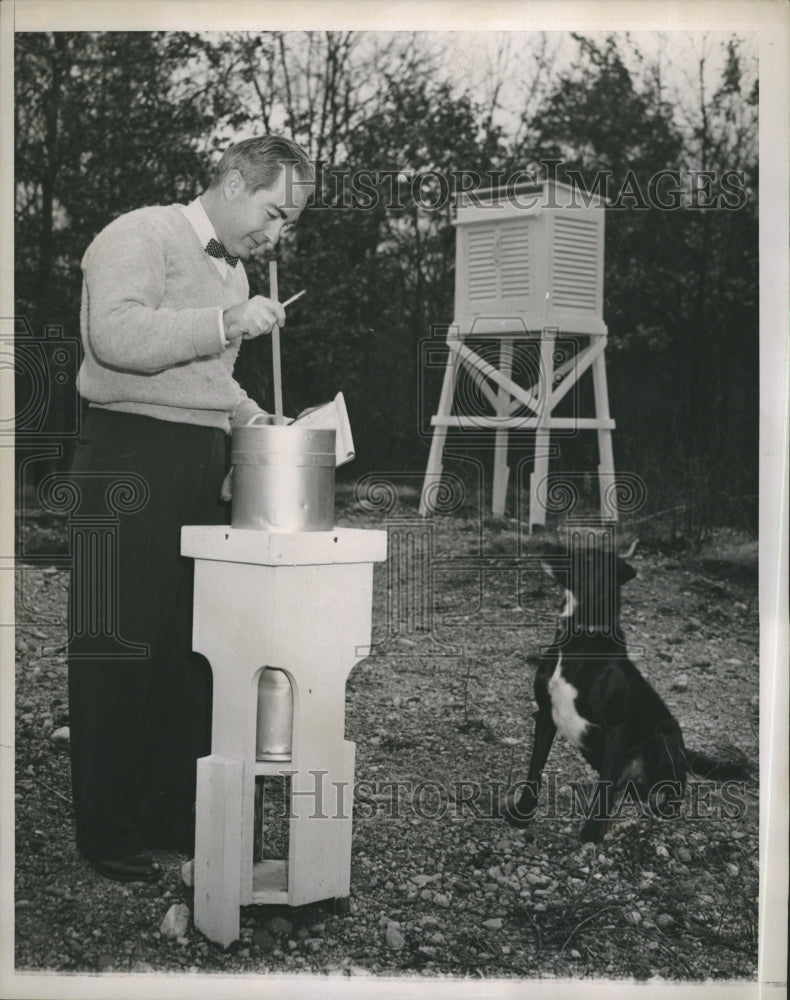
x=253, y=223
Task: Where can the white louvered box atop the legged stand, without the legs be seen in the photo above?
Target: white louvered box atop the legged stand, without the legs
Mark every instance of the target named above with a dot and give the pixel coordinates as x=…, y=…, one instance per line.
x=534, y=254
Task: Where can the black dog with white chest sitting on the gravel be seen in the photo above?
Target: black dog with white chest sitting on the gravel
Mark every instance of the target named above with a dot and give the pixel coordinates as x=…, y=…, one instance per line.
x=588, y=690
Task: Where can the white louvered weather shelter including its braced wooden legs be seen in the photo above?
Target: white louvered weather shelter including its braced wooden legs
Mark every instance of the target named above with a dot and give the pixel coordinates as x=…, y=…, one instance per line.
x=529, y=266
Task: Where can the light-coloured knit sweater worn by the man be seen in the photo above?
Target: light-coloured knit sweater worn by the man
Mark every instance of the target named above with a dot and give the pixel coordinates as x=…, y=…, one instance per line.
x=150, y=327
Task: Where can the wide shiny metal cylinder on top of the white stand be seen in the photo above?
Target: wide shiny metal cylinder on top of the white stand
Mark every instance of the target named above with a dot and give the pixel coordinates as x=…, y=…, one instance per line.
x=283, y=478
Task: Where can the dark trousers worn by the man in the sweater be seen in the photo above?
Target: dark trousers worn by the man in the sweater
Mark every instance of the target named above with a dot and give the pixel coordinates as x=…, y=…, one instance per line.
x=139, y=698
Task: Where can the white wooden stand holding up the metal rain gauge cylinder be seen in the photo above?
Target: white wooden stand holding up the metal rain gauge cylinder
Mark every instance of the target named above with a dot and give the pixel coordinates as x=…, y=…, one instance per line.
x=302, y=603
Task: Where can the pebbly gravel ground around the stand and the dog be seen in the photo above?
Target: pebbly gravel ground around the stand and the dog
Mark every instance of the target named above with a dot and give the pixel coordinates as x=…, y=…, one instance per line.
x=441, y=715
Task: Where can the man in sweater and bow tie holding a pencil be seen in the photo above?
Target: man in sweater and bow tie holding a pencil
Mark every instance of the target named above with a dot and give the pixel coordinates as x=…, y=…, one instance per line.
x=164, y=308
